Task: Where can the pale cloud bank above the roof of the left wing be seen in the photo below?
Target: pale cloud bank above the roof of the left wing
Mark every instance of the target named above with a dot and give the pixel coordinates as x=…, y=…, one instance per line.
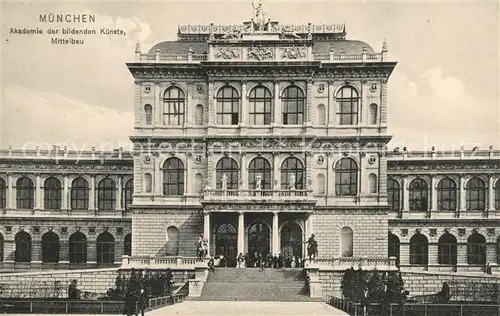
x=36, y=117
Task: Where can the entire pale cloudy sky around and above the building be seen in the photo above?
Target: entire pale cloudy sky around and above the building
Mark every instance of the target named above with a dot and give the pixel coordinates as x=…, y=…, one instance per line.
x=444, y=91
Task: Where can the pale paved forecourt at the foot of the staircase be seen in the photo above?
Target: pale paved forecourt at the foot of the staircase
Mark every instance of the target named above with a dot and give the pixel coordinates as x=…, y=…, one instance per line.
x=230, y=308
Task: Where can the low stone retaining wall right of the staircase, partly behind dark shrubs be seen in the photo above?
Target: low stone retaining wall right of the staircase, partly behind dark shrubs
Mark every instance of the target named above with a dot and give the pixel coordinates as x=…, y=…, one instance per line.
x=417, y=283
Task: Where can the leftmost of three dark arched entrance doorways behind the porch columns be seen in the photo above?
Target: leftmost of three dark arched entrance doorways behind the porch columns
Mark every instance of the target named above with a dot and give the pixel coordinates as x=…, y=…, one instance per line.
x=225, y=243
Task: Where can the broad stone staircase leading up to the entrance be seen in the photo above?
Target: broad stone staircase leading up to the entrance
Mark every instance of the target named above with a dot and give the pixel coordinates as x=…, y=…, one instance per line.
x=253, y=284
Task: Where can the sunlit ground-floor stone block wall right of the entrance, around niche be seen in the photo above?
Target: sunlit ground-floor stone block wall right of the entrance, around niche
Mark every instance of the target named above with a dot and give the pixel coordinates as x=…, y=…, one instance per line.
x=369, y=234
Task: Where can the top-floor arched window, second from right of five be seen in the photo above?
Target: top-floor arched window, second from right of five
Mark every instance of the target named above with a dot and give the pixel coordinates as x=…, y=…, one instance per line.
x=292, y=105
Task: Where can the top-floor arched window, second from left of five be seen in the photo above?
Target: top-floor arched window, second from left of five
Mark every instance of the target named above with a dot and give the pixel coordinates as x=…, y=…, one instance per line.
x=228, y=106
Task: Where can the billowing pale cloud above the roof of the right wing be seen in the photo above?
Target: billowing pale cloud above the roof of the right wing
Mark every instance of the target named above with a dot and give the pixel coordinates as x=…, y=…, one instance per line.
x=438, y=110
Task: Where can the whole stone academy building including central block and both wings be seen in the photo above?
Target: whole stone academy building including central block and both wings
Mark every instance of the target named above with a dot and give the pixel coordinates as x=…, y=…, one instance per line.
x=256, y=136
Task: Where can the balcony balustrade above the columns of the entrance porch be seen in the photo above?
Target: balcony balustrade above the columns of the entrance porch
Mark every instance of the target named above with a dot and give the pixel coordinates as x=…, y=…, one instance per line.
x=212, y=194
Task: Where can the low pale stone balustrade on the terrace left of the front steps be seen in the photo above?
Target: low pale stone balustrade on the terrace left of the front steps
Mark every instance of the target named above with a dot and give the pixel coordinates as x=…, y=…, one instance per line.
x=160, y=262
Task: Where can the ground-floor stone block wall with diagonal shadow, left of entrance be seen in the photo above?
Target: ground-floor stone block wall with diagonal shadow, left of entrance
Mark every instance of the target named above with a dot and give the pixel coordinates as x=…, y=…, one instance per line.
x=156, y=231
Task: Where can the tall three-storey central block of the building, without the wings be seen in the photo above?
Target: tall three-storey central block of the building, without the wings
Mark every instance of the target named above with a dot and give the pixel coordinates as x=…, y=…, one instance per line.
x=257, y=136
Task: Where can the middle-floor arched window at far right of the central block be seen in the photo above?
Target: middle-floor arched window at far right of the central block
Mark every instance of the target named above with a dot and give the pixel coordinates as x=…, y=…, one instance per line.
x=346, y=177
